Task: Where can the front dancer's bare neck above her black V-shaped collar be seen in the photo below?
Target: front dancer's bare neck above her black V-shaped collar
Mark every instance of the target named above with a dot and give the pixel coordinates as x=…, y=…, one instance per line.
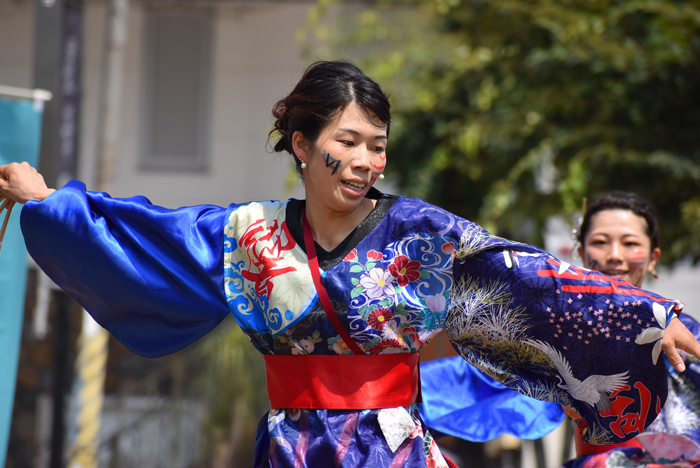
x=330, y=227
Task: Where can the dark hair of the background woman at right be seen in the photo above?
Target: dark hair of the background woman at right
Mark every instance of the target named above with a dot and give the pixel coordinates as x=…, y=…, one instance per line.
x=622, y=201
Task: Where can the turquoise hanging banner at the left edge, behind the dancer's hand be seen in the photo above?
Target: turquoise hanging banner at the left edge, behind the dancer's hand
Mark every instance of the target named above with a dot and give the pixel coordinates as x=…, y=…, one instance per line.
x=20, y=132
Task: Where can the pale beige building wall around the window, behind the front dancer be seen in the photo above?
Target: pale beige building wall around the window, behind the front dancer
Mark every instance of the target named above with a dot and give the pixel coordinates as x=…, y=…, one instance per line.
x=255, y=60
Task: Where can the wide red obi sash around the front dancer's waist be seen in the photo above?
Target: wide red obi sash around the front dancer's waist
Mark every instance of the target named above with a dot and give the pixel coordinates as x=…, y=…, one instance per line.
x=343, y=382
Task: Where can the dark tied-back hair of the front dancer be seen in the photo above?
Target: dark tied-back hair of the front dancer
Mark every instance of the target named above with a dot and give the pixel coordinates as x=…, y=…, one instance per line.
x=324, y=91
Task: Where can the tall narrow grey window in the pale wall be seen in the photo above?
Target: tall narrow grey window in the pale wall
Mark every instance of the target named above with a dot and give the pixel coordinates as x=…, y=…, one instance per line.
x=176, y=90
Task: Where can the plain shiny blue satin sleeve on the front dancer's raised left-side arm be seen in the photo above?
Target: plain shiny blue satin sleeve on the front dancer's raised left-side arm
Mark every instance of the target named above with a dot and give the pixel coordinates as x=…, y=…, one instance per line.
x=153, y=277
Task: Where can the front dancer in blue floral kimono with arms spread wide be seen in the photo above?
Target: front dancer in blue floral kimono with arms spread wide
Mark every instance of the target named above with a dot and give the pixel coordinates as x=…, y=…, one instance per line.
x=341, y=290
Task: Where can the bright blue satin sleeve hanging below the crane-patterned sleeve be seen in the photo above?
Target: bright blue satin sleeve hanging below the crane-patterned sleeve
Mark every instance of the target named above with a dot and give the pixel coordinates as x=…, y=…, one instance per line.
x=461, y=401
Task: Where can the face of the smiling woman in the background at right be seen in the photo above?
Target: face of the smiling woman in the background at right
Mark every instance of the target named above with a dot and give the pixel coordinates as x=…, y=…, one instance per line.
x=617, y=244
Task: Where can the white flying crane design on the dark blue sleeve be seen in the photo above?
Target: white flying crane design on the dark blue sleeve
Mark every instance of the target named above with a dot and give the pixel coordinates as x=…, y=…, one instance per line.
x=594, y=391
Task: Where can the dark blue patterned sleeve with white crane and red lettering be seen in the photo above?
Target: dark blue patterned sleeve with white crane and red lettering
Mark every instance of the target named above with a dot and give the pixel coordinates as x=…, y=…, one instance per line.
x=556, y=332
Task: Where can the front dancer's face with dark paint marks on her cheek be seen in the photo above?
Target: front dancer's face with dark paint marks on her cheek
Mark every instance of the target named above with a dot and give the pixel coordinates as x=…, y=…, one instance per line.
x=347, y=158
